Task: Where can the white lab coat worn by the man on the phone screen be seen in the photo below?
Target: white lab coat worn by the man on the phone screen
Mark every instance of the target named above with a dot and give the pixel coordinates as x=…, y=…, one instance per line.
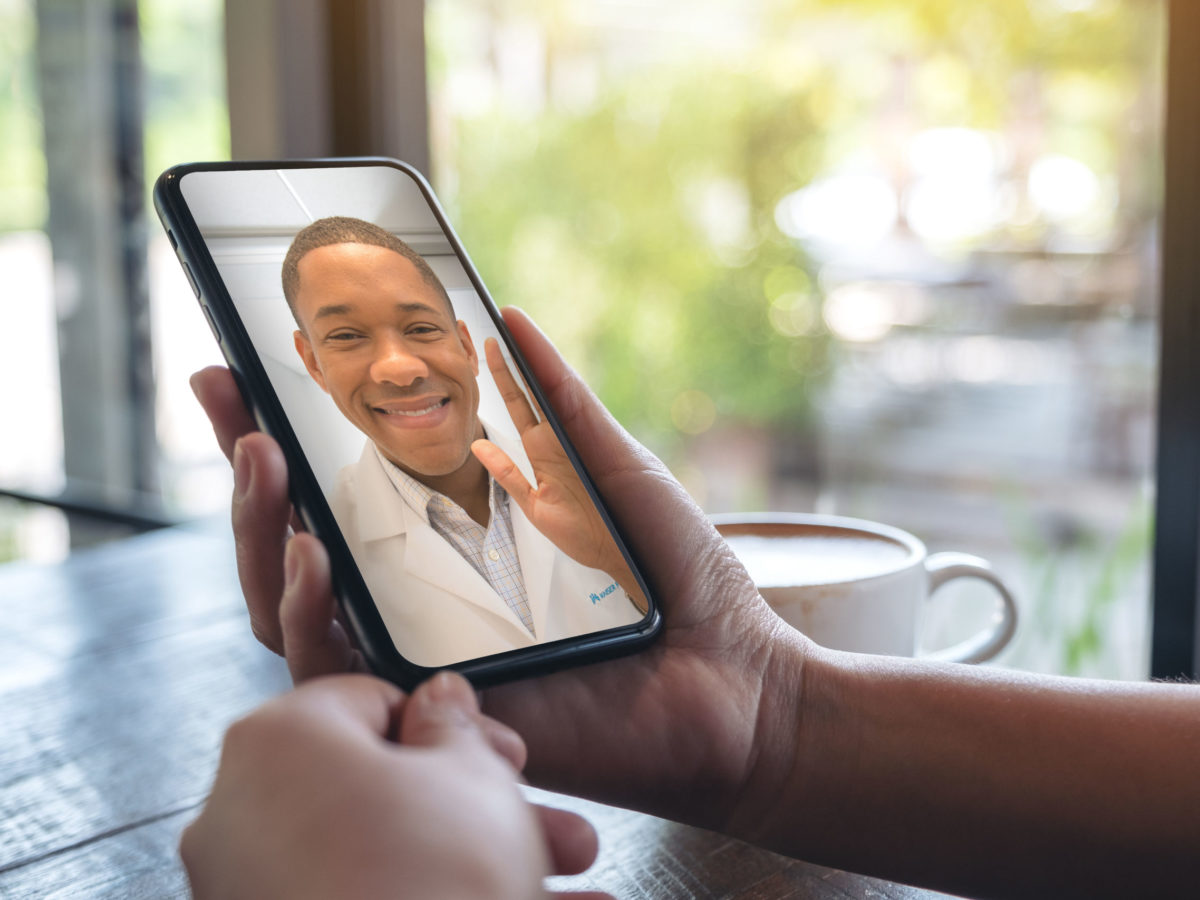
x=439, y=610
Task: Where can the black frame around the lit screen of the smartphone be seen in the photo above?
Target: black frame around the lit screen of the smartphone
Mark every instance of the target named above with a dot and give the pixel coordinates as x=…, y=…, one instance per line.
x=353, y=596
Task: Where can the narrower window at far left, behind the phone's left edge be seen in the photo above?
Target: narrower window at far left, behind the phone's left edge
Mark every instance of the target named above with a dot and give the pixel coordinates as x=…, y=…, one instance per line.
x=100, y=99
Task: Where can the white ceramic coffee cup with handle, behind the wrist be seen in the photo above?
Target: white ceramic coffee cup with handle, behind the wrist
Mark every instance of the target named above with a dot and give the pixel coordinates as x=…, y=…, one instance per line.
x=853, y=585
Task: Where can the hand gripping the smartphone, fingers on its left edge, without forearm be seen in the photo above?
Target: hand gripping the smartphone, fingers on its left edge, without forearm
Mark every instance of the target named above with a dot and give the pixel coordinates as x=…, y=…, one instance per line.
x=643, y=731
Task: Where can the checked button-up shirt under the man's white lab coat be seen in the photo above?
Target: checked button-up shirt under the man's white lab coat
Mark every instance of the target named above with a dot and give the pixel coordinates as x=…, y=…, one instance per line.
x=491, y=551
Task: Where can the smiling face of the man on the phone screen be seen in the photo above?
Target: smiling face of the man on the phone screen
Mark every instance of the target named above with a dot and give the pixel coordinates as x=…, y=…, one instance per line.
x=380, y=340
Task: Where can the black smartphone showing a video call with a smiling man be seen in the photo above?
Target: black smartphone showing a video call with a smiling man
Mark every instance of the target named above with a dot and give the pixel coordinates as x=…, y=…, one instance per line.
x=463, y=529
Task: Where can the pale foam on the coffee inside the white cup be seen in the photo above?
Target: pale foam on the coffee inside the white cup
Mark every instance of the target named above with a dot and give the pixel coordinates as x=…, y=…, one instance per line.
x=826, y=556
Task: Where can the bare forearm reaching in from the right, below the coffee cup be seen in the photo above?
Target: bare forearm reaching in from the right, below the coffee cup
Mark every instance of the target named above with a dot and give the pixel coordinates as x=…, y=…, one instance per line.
x=991, y=783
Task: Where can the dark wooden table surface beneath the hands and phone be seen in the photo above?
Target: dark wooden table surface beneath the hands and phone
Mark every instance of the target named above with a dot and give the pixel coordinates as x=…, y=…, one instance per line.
x=121, y=670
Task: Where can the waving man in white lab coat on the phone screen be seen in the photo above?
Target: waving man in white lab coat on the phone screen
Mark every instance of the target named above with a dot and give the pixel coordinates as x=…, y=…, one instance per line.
x=458, y=568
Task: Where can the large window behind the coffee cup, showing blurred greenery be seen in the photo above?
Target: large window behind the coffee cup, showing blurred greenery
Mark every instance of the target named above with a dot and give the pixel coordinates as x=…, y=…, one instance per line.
x=877, y=259
